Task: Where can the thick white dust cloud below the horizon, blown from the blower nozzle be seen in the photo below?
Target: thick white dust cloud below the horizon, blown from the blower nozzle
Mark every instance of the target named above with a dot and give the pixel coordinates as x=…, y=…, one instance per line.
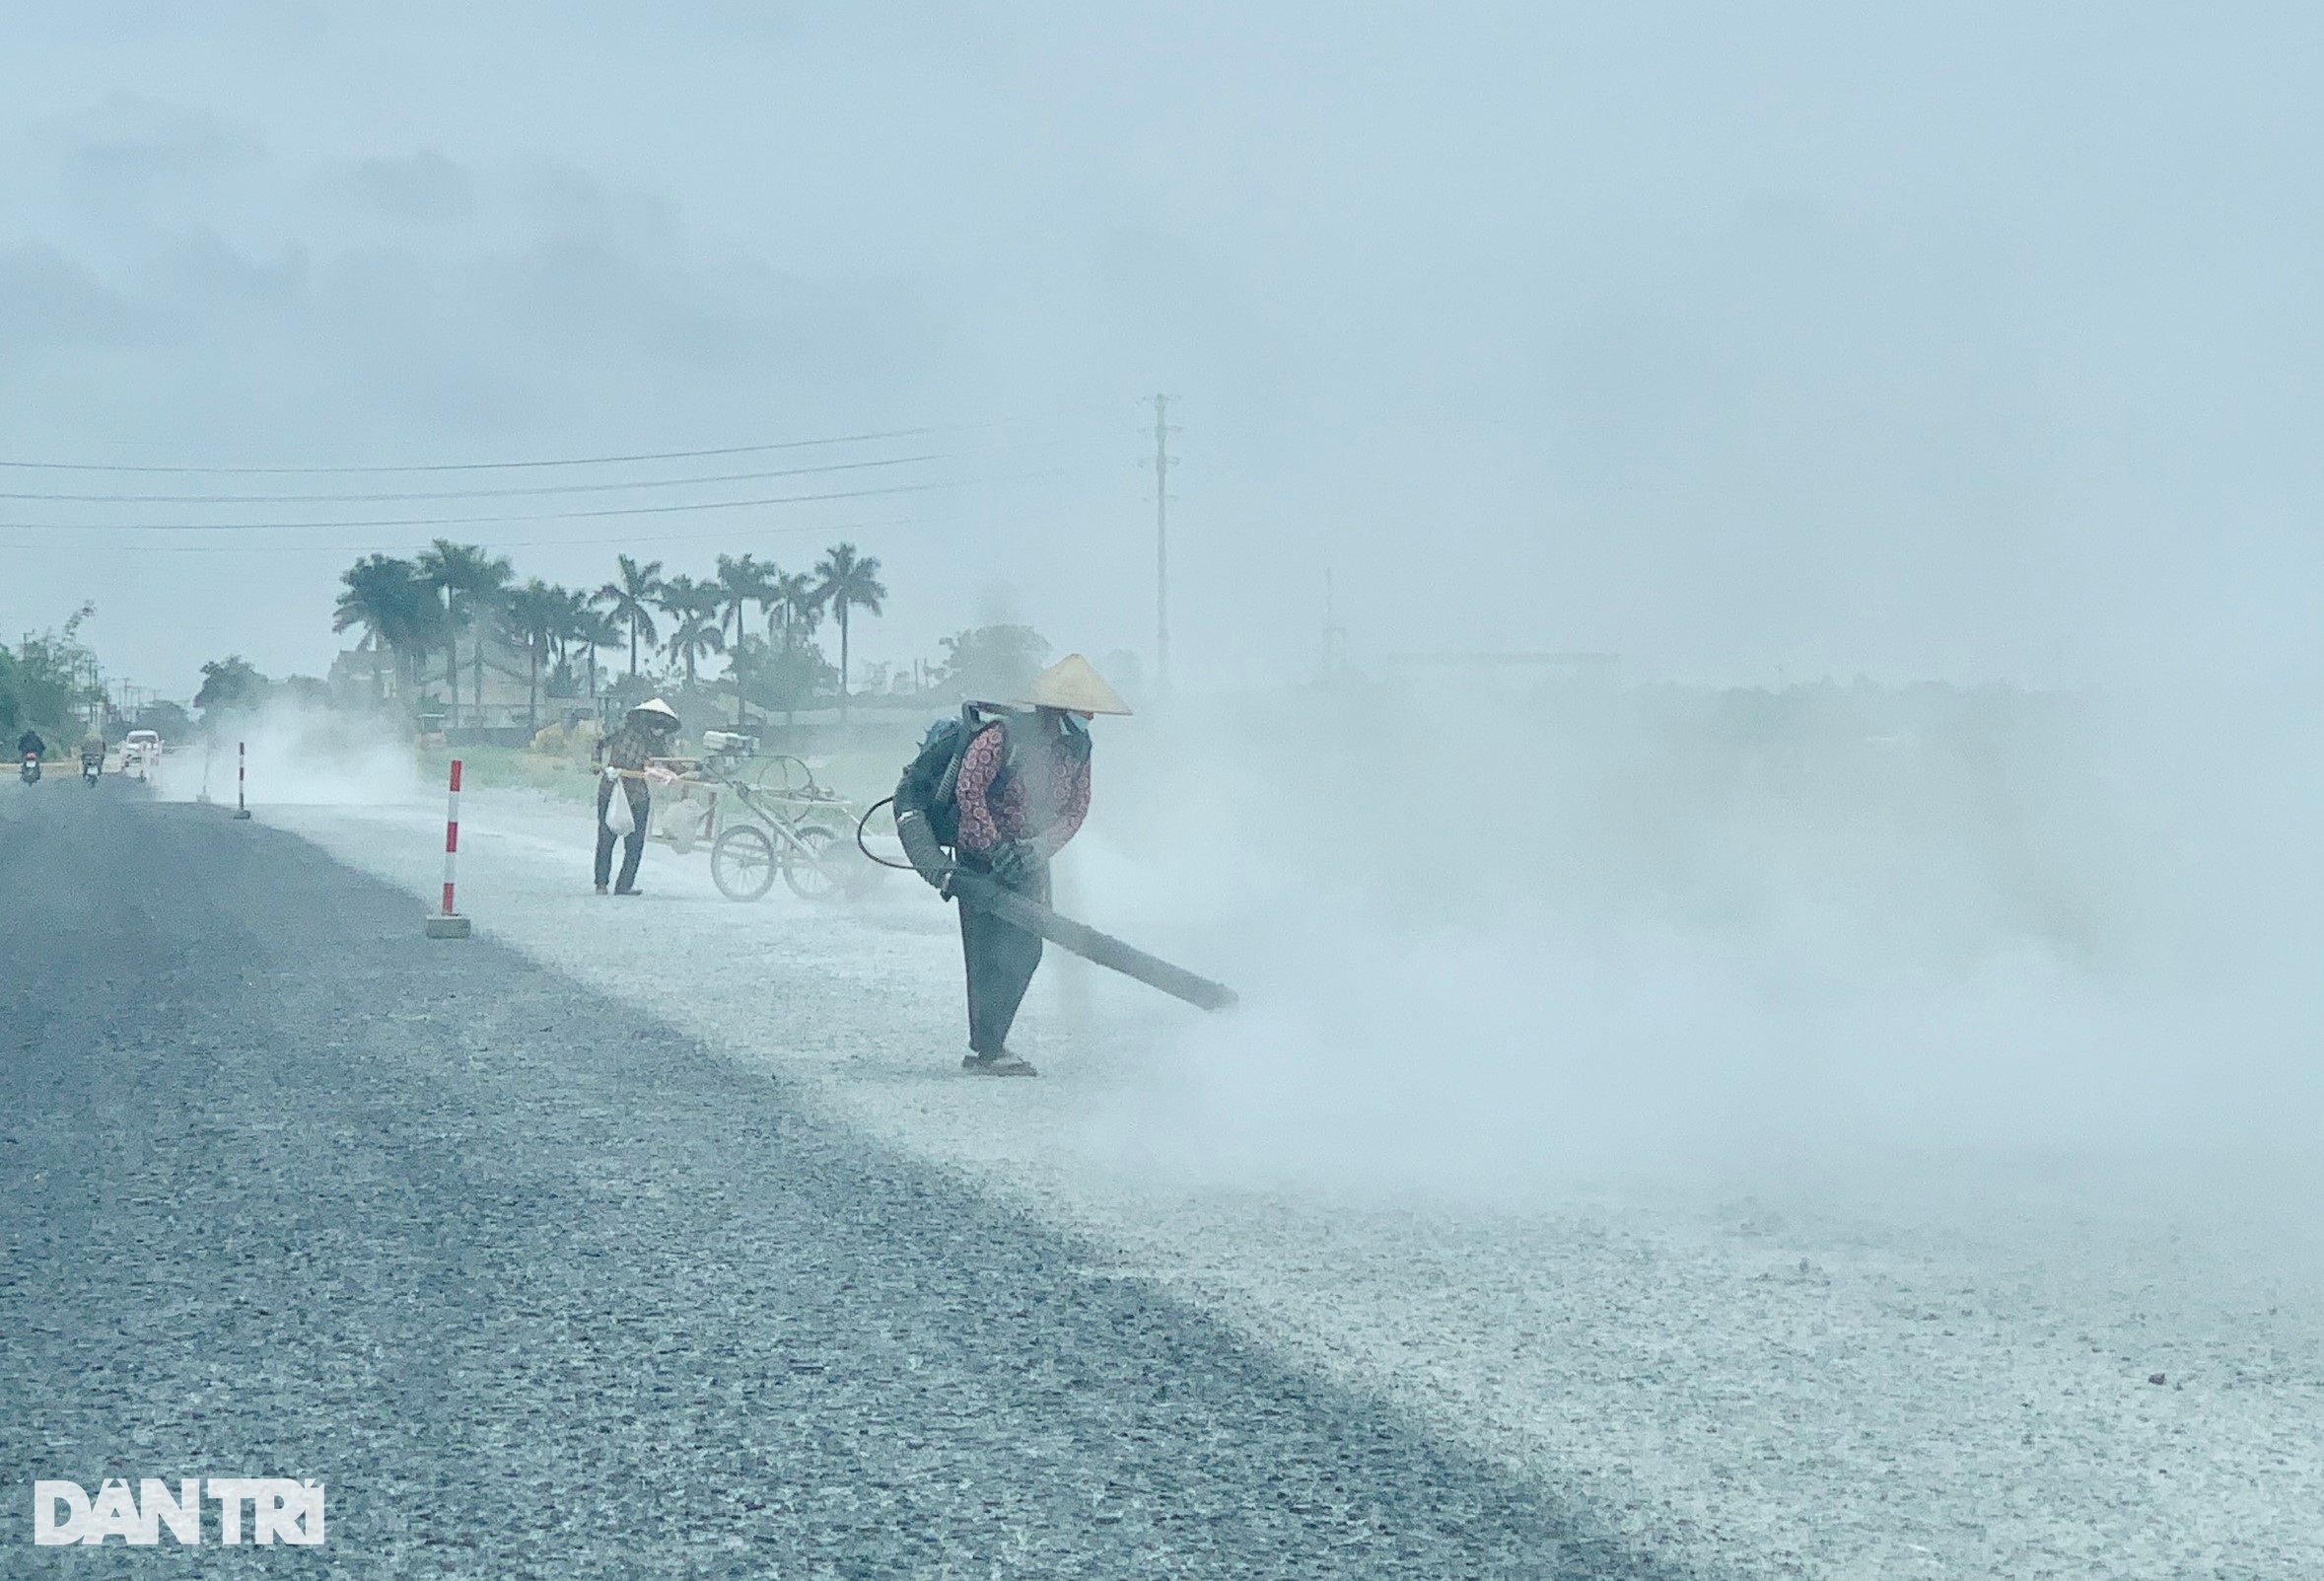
x=1593, y=931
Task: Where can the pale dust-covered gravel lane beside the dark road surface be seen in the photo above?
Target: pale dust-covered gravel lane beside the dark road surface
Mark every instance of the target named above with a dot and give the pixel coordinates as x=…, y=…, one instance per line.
x=1911, y=1371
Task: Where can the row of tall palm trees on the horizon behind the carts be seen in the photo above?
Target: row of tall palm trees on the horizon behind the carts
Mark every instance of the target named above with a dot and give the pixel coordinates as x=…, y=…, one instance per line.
x=422, y=608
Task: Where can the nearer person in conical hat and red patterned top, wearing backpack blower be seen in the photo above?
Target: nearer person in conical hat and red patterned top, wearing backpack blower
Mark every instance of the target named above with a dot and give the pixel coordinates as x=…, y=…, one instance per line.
x=1005, y=789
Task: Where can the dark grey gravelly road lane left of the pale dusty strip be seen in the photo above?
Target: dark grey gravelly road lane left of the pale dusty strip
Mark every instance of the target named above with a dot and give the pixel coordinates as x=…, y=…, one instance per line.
x=543, y=1287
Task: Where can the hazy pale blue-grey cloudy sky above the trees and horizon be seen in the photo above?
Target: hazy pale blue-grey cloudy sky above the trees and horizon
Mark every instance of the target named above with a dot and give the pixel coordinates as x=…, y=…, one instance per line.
x=1951, y=341
